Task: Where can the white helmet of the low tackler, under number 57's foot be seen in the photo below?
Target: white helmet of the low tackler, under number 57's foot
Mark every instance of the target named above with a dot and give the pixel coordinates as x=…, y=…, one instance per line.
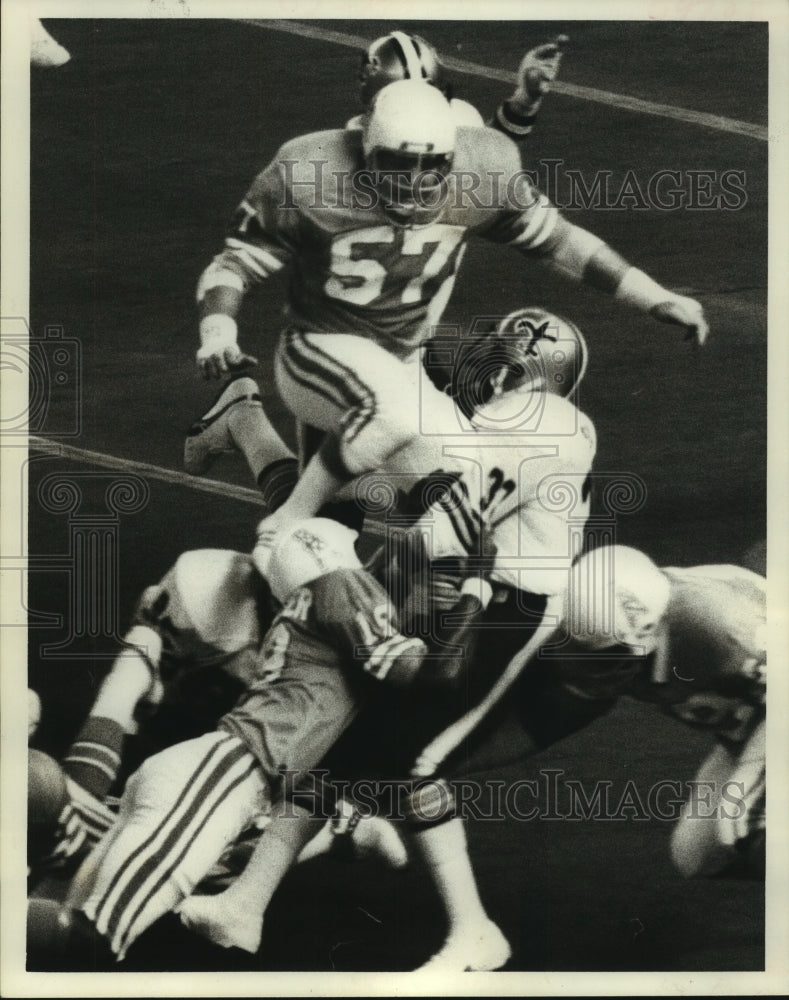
x=308, y=549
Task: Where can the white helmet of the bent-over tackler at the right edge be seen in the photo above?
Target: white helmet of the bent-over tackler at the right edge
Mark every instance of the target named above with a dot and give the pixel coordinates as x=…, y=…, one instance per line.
x=617, y=596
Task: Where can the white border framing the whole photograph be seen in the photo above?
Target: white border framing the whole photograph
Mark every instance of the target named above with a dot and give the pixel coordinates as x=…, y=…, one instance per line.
x=14, y=981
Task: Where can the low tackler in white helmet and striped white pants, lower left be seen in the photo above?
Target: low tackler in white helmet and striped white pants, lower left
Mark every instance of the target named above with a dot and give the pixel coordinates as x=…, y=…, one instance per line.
x=184, y=806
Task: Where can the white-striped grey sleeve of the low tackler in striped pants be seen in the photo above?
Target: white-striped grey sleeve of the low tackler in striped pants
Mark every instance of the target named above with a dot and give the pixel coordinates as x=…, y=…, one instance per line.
x=361, y=620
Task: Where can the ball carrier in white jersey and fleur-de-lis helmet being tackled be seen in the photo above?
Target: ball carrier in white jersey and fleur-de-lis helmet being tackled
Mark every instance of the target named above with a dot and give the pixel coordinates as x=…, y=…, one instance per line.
x=503, y=369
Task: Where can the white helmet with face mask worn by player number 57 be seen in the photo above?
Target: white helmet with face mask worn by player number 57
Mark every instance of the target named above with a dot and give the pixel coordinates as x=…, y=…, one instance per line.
x=408, y=140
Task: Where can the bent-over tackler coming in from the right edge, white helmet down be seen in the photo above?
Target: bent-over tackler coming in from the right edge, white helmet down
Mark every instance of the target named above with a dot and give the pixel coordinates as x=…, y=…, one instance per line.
x=691, y=641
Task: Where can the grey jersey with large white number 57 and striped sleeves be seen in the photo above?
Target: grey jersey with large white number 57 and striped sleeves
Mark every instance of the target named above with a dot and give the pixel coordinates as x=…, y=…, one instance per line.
x=315, y=208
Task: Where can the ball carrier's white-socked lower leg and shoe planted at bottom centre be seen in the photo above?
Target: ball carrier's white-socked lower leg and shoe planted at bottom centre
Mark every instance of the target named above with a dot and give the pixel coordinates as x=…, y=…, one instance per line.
x=473, y=943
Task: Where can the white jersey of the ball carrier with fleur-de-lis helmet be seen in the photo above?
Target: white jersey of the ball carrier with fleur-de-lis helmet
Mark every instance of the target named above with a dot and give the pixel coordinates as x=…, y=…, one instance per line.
x=524, y=464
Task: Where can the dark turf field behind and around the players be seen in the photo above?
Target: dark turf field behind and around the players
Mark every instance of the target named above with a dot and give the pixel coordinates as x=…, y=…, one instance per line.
x=141, y=147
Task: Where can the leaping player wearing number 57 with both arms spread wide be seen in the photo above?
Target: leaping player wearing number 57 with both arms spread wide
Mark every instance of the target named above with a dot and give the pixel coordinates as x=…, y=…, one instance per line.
x=371, y=270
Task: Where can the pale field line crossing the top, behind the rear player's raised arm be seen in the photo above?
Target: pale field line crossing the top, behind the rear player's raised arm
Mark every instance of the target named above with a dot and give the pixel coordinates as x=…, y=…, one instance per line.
x=607, y=97
